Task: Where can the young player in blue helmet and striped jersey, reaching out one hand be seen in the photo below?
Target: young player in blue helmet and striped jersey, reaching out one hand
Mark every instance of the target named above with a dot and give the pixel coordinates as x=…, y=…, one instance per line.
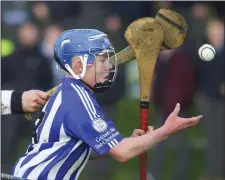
x=73, y=125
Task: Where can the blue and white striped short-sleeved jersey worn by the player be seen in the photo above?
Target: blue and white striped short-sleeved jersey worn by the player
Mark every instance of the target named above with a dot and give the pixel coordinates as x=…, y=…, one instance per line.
x=72, y=125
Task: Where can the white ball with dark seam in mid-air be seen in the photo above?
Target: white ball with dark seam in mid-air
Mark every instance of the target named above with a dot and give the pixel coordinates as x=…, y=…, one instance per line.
x=206, y=52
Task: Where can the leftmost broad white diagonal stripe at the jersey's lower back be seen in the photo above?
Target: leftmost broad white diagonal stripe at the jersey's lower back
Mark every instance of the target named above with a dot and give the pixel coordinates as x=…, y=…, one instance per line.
x=40, y=157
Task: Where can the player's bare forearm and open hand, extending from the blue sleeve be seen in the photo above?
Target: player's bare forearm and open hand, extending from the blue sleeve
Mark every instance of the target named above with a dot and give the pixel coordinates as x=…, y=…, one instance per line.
x=128, y=148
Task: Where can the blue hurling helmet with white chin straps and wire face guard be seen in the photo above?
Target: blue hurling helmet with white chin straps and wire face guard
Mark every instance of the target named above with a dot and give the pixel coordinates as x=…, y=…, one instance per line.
x=85, y=43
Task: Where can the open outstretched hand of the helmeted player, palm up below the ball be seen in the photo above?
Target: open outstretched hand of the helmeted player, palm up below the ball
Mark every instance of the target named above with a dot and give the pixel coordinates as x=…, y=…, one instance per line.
x=175, y=123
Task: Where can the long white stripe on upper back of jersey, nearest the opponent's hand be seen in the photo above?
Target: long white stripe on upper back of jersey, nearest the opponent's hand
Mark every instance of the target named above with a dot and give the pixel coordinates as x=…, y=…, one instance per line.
x=44, y=135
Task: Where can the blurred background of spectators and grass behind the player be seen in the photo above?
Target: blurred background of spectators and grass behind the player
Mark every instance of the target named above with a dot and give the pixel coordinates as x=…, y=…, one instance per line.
x=28, y=33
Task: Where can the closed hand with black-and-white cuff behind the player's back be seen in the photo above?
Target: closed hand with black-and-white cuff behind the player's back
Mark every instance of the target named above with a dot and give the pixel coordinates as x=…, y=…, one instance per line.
x=33, y=100
